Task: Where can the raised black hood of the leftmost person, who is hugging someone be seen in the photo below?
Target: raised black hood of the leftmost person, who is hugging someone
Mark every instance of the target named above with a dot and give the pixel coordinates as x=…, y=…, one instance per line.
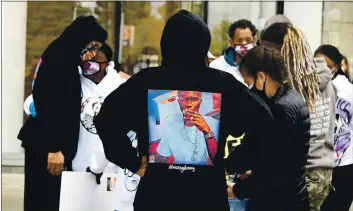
x=75, y=38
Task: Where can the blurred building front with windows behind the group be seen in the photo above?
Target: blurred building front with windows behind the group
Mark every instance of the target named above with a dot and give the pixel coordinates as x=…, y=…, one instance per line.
x=135, y=30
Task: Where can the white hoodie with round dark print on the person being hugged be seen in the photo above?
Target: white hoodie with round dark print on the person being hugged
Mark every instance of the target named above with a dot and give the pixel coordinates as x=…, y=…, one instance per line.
x=90, y=152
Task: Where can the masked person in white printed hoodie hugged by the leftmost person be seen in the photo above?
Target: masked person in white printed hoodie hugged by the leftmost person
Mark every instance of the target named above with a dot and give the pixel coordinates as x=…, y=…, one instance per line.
x=98, y=80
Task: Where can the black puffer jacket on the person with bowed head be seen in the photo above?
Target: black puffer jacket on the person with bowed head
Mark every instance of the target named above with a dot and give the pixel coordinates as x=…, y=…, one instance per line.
x=292, y=132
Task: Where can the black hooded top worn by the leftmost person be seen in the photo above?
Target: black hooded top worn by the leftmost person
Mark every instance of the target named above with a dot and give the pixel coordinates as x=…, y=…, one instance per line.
x=57, y=91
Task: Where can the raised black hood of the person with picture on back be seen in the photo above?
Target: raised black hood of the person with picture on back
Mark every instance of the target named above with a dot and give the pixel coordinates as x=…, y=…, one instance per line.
x=185, y=41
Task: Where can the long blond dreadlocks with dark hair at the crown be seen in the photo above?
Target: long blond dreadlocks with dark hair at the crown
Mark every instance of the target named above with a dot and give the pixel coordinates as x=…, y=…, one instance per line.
x=298, y=58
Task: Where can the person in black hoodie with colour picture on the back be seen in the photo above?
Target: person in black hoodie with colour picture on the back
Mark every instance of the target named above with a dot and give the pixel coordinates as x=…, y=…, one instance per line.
x=214, y=104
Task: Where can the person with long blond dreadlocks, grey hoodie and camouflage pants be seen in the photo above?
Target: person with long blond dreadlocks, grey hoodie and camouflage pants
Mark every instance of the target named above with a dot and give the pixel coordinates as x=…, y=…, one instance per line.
x=311, y=78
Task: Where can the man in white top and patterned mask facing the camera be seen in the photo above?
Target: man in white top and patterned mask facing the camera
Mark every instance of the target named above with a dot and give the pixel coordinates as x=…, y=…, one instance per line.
x=242, y=34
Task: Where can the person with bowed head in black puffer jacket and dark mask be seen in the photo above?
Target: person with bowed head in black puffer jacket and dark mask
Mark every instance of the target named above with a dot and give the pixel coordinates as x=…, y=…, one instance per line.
x=264, y=68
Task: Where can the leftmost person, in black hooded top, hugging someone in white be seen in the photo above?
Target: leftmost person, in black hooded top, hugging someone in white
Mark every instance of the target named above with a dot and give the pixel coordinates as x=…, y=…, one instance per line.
x=50, y=139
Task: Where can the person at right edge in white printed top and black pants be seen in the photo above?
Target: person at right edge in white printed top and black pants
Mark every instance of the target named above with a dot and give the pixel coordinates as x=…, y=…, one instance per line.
x=340, y=199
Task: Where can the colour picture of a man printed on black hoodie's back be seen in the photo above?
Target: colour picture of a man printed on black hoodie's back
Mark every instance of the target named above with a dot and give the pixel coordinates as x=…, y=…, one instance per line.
x=183, y=126
